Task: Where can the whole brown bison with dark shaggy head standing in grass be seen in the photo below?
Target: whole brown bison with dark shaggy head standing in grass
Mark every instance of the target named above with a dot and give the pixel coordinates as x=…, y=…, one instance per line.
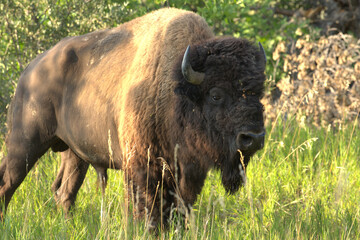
x=159, y=97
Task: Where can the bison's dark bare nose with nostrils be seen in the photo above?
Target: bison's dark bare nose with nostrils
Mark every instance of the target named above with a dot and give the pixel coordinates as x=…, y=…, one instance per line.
x=248, y=141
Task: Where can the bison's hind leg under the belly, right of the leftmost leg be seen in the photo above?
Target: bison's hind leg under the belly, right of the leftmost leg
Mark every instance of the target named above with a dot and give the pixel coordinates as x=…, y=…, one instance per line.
x=69, y=180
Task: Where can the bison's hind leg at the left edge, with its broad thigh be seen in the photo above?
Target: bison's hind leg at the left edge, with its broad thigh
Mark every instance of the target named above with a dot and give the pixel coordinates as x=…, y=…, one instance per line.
x=31, y=134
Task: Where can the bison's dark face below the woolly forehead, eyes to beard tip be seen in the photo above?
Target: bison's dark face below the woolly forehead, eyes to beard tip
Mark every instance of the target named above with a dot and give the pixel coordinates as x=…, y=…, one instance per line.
x=236, y=126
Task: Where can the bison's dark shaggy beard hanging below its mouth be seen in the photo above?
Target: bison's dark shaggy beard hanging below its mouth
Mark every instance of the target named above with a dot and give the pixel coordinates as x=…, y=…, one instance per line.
x=233, y=172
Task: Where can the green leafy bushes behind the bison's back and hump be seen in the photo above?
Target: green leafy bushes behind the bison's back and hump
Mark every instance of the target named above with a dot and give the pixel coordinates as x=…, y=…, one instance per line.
x=28, y=28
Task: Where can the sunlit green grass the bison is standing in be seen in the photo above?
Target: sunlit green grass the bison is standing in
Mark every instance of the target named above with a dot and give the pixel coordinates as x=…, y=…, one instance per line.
x=305, y=184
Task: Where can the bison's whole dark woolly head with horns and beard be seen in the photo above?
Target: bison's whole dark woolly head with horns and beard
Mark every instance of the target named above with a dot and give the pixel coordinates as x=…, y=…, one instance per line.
x=223, y=81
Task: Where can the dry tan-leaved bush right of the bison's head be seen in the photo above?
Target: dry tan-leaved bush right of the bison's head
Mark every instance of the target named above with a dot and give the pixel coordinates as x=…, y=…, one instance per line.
x=323, y=84
